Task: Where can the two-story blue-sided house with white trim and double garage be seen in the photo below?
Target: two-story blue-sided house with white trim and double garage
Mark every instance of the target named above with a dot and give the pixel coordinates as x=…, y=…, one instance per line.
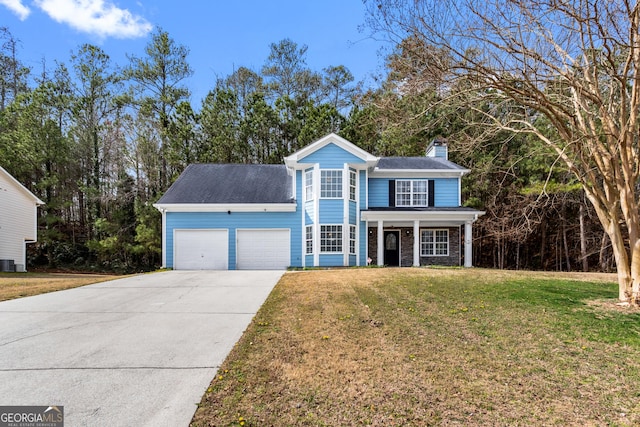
x=330, y=204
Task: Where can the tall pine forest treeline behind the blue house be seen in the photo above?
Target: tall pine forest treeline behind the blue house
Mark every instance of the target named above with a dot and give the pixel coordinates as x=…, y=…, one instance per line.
x=100, y=142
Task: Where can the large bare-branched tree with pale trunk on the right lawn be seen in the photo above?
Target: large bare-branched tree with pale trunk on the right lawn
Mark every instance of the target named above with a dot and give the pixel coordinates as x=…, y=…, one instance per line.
x=572, y=65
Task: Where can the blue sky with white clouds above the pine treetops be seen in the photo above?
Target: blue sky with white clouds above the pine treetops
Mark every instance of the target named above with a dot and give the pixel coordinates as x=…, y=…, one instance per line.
x=222, y=35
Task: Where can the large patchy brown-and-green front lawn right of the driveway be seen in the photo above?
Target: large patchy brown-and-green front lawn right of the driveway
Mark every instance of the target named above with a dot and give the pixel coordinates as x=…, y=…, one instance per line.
x=418, y=347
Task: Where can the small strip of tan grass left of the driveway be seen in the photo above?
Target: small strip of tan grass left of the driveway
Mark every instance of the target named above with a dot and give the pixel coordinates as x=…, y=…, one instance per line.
x=17, y=285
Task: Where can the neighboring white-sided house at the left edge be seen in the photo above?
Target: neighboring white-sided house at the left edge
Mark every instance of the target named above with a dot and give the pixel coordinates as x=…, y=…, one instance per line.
x=18, y=222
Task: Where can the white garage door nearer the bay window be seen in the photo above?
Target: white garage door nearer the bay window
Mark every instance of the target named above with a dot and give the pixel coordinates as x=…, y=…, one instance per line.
x=263, y=249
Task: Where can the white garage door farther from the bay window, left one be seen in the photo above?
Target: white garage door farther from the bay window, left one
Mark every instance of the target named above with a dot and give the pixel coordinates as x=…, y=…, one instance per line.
x=201, y=250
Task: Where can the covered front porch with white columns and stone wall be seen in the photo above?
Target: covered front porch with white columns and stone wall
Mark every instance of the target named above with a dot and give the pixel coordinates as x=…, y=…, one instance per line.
x=413, y=238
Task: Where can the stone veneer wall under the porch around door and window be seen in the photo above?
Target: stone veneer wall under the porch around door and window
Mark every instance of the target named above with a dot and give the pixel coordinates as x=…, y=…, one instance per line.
x=406, y=247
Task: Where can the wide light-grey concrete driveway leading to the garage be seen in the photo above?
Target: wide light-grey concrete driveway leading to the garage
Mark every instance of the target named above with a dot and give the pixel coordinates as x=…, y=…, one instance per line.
x=138, y=351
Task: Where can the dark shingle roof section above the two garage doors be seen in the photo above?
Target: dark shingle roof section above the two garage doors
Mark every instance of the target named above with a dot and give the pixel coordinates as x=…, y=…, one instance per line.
x=230, y=183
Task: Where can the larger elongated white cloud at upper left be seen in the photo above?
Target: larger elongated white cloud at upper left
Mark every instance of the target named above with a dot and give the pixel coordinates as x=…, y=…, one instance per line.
x=98, y=17
